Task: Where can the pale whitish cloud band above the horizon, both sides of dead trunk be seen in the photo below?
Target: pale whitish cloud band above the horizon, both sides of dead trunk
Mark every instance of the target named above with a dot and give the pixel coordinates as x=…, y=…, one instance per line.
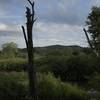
x=45, y=34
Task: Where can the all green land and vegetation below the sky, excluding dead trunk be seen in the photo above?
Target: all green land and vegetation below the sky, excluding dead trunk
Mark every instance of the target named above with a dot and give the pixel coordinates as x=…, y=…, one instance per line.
x=63, y=74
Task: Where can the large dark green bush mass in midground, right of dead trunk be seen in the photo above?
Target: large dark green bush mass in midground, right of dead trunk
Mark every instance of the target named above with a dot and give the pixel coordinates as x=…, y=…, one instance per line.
x=76, y=69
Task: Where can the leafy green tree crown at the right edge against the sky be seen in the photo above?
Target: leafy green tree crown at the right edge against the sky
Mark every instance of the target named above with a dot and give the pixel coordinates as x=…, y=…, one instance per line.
x=93, y=23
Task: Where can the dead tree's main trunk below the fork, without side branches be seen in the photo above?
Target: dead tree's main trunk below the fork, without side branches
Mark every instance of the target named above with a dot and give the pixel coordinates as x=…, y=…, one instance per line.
x=31, y=68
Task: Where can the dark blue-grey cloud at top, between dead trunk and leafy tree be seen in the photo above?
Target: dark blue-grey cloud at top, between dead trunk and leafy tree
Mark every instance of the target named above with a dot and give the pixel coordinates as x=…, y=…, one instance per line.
x=62, y=11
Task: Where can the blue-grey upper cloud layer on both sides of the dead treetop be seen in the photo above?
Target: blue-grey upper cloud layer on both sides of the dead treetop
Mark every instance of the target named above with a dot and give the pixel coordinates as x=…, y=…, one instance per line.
x=59, y=11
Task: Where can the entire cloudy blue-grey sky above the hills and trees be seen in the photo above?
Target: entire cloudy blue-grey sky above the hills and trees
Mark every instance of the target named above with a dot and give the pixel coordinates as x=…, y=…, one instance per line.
x=59, y=22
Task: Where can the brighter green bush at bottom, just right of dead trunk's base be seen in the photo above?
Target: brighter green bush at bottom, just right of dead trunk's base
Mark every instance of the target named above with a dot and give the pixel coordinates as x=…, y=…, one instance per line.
x=53, y=89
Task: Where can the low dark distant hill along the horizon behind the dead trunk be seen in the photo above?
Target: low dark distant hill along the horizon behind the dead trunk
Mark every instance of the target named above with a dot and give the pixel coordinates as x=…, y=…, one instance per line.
x=60, y=49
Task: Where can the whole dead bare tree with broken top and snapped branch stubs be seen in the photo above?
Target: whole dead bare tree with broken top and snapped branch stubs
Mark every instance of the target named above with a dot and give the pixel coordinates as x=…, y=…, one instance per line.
x=29, y=43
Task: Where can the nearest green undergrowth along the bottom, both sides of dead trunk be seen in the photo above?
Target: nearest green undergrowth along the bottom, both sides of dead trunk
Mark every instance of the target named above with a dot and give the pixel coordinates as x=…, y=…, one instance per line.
x=14, y=86
